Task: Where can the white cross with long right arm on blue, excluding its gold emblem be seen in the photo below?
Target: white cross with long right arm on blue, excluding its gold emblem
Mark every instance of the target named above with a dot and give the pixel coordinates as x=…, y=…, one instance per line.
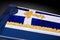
x=28, y=20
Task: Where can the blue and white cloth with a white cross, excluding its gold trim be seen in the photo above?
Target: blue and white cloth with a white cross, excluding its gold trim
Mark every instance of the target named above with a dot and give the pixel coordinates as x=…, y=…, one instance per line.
x=16, y=32
